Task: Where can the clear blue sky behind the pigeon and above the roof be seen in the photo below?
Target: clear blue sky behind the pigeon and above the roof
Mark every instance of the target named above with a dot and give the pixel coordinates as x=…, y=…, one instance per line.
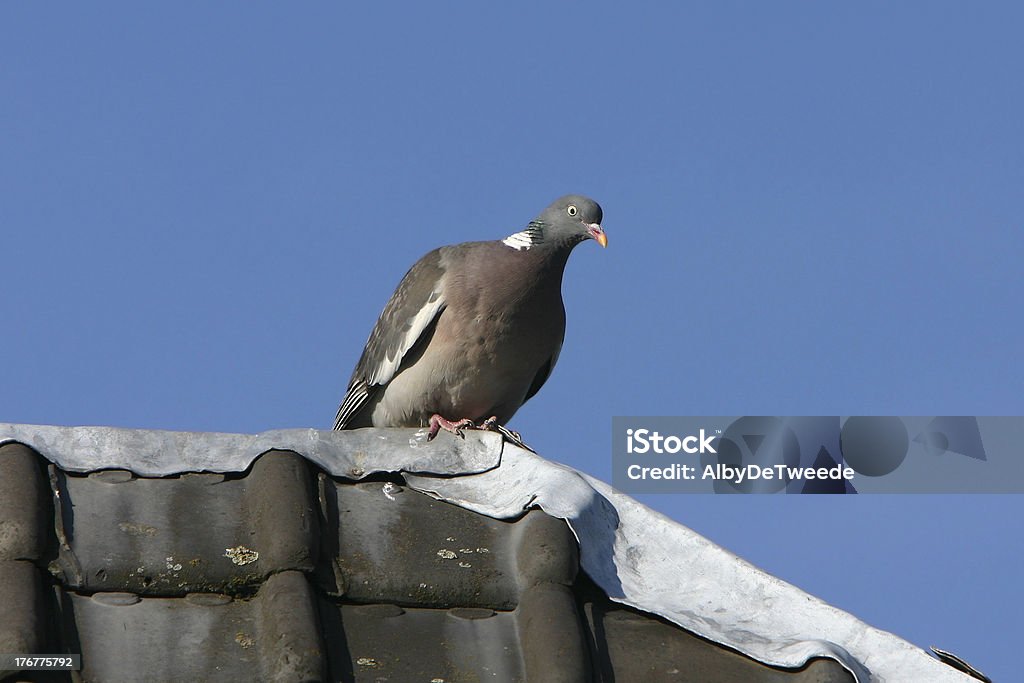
x=813, y=209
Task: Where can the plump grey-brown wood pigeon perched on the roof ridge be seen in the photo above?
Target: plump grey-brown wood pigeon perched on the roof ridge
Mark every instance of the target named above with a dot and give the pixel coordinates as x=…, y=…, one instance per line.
x=474, y=330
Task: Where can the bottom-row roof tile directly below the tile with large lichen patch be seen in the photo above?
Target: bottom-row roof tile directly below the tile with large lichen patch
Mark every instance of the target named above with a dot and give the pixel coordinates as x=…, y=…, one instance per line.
x=273, y=636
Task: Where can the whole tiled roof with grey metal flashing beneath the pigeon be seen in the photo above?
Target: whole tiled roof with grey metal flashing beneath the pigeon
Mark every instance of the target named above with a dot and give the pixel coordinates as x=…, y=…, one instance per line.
x=366, y=556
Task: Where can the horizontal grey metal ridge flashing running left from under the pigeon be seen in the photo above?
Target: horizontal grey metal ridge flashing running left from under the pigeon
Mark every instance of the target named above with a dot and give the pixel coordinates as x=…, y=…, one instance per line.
x=353, y=454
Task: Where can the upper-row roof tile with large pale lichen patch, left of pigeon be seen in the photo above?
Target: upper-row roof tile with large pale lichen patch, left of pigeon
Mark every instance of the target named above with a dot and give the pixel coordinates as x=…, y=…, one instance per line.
x=193, y=533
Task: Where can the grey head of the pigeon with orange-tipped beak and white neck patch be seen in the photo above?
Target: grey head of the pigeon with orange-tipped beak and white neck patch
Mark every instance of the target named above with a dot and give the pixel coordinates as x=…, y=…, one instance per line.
x=567, y=223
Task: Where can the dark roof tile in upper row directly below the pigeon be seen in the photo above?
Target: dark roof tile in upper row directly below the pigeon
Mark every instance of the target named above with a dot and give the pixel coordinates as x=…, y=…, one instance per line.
x=460, y=558
